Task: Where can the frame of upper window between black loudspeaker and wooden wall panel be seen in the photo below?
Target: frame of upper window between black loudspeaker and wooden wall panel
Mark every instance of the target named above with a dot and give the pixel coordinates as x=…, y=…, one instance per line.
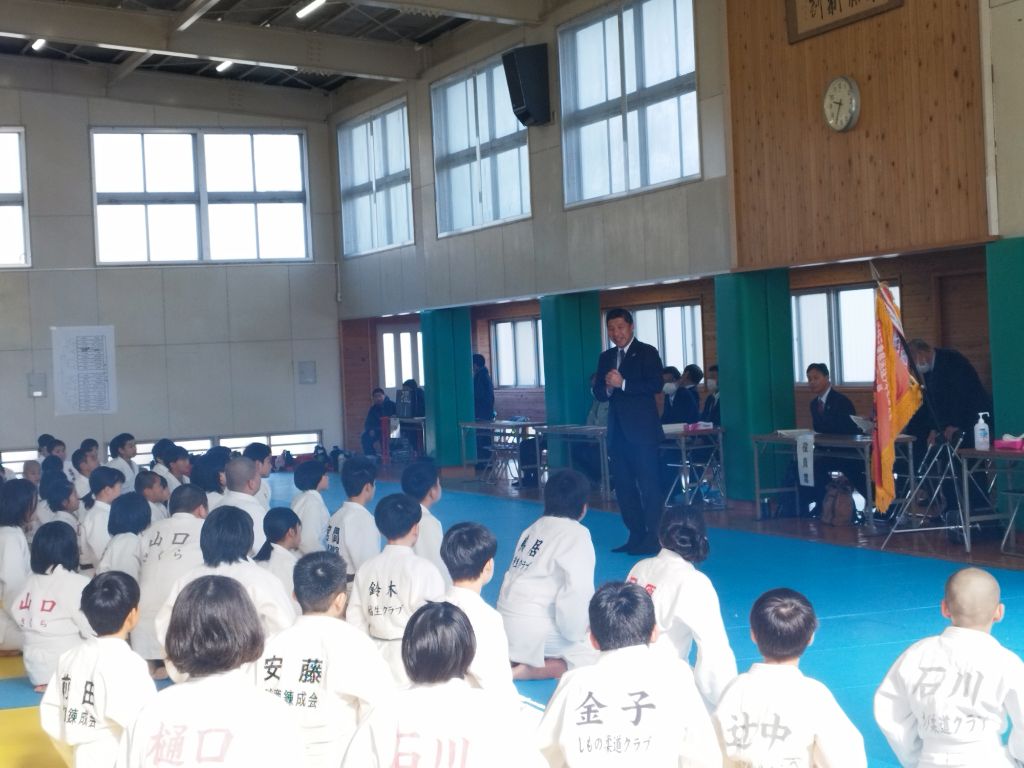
x=623, y=105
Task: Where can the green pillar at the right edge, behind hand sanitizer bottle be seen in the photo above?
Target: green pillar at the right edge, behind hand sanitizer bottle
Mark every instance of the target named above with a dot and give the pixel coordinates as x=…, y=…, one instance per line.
x=1005, y=268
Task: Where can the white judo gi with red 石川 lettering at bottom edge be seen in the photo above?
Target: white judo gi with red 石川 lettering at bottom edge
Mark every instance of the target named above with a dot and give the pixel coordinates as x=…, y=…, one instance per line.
x=446, y=724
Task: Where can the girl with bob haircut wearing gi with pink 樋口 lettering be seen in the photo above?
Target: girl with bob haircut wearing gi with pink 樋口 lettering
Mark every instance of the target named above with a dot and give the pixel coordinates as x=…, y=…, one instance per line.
x=215, y=636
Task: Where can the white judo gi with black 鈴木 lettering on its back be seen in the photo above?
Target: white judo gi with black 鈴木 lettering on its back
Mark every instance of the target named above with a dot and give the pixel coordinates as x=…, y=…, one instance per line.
x=387, y=592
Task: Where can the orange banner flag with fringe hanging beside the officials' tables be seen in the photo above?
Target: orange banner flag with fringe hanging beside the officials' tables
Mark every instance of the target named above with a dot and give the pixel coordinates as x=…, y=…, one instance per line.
x=898, y=395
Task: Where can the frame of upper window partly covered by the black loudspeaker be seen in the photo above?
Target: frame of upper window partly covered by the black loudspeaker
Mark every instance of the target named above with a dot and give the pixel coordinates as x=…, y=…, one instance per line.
x=481, y=152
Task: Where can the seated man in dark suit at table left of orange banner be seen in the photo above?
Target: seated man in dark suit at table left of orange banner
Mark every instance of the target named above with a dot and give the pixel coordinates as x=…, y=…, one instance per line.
x=831, y=412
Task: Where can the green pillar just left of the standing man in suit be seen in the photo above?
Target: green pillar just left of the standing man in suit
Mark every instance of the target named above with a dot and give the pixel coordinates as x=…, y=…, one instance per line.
x=572, y=331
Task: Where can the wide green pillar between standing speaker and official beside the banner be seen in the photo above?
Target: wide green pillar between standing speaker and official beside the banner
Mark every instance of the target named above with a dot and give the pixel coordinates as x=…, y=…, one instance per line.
x=755, y=358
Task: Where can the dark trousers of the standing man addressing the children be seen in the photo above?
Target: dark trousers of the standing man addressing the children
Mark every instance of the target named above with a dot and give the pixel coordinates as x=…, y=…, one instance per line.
x=635, y=470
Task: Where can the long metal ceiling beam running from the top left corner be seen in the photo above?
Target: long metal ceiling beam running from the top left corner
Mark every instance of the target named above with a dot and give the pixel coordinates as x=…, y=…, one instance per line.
x=154, y=33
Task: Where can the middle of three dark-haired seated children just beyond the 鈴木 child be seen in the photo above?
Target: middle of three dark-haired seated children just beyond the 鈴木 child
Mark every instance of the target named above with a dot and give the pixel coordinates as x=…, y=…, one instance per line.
x=352, y=532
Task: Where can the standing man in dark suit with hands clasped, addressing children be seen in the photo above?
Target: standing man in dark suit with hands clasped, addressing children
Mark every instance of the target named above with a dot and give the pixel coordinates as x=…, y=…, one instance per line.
x=628, y=377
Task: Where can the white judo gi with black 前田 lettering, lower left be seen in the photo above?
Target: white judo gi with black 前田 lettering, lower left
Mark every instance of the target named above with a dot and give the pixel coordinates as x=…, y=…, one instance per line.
x=94, y=697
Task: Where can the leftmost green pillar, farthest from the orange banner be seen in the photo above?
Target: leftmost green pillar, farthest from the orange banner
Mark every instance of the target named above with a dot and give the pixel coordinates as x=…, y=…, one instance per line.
x=448, y=366
